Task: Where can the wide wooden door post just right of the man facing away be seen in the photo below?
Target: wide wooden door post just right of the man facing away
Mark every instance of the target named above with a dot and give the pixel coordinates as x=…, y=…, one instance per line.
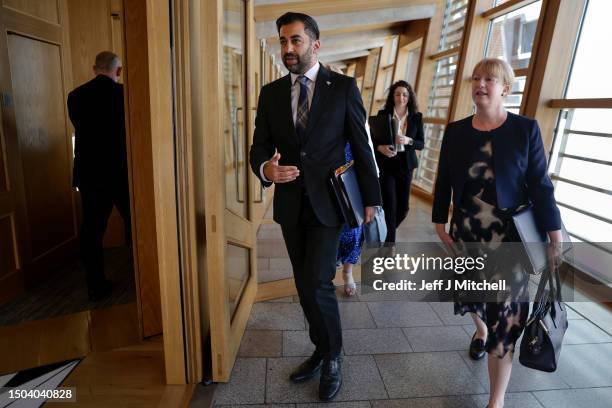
x=150, y=108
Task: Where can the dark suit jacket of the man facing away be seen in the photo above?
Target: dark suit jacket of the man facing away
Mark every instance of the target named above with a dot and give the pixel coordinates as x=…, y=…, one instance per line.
x=96, y=111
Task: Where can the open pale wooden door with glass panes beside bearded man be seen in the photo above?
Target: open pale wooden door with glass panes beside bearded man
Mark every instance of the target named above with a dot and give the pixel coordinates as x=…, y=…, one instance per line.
x=229, y=197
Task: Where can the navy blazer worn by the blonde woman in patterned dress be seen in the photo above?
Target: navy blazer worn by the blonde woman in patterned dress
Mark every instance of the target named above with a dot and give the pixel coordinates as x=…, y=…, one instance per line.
x=519, y=164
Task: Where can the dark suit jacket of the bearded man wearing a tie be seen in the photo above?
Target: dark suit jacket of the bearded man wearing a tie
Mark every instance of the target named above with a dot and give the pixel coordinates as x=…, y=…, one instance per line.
x=336, y=116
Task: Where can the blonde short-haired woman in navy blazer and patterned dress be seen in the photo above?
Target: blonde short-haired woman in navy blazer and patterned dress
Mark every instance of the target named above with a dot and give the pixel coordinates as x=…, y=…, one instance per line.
x=494, y=165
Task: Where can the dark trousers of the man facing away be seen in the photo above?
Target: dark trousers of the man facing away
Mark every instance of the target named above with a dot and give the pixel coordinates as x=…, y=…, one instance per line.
x=97, y=203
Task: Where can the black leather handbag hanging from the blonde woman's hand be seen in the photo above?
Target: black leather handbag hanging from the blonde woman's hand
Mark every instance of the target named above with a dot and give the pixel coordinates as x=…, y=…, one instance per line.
x=544, y=331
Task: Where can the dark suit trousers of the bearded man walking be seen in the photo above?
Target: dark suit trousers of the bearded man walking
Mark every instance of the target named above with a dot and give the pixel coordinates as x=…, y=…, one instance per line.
x=312, y=249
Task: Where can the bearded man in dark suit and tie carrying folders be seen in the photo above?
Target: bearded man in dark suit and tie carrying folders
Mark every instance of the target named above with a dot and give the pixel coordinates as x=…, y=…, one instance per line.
x=304, y=121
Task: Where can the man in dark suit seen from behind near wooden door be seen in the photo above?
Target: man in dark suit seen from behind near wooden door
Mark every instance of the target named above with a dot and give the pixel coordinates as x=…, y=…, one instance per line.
x=100, y=163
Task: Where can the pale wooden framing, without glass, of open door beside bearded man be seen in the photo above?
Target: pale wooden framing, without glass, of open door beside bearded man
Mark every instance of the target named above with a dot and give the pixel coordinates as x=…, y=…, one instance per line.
x=224, y=336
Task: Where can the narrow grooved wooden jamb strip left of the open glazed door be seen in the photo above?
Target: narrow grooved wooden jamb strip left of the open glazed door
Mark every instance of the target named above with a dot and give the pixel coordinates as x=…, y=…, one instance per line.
x=185, y=19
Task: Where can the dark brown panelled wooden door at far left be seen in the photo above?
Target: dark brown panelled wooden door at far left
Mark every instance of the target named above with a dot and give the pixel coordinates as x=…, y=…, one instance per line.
x=37, y=217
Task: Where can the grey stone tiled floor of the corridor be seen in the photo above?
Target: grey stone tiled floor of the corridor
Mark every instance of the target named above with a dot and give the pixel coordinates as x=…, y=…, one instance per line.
x=402, y=354
